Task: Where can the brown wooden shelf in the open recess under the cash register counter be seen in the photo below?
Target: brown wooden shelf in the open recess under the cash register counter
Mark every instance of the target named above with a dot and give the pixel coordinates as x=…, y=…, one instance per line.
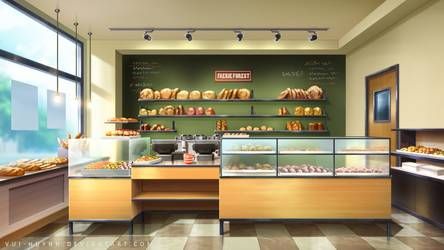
x=176, y=195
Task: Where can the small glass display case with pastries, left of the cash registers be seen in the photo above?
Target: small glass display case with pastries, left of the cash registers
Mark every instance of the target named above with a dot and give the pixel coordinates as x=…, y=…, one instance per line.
x=105, y=157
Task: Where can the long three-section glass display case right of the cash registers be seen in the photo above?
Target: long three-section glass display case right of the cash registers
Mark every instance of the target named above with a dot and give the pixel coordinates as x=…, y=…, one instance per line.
x=309, y=157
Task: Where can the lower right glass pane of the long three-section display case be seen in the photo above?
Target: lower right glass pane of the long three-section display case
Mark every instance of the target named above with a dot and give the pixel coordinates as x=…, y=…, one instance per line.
x=362, y=165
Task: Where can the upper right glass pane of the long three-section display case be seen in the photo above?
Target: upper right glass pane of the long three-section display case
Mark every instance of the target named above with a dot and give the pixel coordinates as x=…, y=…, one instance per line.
x=362, y=145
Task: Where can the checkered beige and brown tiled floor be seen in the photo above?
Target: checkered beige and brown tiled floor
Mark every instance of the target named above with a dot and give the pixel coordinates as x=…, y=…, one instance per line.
x=201, y=231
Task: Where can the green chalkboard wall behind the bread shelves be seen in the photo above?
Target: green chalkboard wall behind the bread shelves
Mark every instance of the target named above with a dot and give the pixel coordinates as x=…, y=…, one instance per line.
x=270, y=75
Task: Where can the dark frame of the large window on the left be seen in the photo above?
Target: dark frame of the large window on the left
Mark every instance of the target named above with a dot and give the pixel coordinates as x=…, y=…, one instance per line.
x=45, y=68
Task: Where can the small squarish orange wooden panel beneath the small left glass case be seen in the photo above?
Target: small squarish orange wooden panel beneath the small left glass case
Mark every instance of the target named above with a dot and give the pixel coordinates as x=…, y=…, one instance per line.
x=101, y=199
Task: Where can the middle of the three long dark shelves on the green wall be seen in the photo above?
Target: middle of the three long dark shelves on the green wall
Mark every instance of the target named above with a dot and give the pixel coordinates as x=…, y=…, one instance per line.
x=233, y=116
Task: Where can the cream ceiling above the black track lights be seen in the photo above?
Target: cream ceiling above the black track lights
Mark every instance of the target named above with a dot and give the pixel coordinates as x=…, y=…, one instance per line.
x=98, y=15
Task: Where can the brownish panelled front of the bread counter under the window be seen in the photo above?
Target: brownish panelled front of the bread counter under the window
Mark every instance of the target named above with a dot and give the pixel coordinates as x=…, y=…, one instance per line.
x=25, y=200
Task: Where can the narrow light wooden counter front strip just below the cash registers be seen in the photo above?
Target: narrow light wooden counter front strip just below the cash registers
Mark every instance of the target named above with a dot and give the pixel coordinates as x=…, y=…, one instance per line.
x=175, y=173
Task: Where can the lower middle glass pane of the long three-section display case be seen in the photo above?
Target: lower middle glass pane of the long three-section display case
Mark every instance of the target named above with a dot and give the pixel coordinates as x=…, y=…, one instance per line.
x=305, y=165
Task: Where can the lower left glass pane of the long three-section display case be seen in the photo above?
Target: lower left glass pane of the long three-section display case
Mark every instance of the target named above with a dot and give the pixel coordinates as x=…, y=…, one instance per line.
x=248, y=165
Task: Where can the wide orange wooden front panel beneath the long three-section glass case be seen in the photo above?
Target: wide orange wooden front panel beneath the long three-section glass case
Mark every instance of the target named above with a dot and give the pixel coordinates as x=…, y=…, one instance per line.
x=305, y=198
